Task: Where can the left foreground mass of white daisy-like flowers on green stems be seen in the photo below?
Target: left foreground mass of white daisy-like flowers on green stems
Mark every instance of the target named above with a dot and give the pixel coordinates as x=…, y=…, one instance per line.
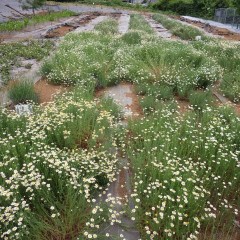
x=51, y=145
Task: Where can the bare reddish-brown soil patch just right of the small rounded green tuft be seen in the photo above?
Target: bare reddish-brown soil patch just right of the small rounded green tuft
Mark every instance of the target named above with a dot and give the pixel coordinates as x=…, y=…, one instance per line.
x=46, y=91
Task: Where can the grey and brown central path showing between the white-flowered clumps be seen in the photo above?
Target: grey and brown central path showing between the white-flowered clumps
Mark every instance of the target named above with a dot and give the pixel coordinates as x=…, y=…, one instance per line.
x=118, y=194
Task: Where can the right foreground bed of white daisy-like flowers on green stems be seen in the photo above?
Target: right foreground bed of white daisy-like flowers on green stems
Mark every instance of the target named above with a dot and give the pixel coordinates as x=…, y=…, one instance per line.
x=175, y=161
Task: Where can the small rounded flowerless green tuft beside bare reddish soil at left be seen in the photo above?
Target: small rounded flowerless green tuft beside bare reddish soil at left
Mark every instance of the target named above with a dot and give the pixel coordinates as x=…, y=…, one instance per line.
x=22, y=92
